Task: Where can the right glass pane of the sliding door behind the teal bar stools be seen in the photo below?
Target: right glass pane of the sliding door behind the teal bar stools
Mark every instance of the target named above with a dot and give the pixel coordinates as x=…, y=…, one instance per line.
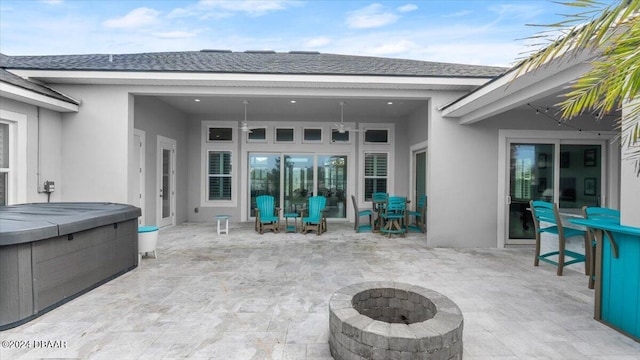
x=580, y=176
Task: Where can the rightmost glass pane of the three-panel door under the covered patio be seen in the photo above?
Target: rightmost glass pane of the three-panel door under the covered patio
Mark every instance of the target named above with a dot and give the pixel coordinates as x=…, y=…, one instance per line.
x=332, y=183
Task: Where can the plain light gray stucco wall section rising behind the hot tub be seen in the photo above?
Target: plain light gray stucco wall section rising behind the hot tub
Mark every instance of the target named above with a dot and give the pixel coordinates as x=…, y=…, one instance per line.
x=95, y=144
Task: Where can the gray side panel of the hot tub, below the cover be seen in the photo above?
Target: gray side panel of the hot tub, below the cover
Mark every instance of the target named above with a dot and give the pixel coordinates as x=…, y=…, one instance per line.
x=37, y=276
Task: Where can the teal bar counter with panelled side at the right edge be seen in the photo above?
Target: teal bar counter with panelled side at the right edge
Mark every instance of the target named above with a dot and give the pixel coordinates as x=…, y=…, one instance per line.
x=617, y=285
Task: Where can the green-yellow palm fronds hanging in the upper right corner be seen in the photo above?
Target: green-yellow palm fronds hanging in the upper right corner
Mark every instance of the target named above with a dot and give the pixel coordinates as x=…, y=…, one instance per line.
x=614, y=31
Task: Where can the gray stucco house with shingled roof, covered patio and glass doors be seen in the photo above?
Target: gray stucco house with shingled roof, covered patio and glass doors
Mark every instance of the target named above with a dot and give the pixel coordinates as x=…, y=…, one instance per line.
x=164, y=131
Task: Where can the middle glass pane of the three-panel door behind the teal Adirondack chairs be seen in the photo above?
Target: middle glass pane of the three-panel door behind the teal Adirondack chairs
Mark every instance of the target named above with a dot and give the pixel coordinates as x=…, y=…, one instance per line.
x=298, y=182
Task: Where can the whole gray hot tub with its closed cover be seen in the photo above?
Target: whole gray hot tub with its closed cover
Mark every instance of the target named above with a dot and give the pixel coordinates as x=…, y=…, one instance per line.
x=51, y=253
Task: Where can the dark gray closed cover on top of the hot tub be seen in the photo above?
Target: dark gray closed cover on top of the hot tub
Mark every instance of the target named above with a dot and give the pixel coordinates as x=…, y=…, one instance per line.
x=36, y=221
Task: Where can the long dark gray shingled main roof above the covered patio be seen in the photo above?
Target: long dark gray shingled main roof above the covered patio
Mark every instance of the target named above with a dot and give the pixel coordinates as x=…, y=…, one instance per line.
x=250, y=62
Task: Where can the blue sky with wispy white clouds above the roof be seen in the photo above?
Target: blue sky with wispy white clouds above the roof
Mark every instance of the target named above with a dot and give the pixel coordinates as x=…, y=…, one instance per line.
x=471, y=32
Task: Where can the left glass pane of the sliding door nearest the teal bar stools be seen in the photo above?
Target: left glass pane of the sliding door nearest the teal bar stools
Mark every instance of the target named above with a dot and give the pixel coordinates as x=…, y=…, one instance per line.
x=530, y=178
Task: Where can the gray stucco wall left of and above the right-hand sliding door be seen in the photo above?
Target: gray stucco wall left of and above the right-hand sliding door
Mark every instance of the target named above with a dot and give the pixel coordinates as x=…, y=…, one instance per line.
x=463, y=174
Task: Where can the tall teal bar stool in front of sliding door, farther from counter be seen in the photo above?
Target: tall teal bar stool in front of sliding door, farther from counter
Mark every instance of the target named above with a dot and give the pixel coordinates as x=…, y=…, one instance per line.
x=547, y=212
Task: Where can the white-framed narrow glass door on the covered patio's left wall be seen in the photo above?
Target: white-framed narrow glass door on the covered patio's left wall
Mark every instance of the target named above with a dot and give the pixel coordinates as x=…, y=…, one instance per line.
x=166, y=181
